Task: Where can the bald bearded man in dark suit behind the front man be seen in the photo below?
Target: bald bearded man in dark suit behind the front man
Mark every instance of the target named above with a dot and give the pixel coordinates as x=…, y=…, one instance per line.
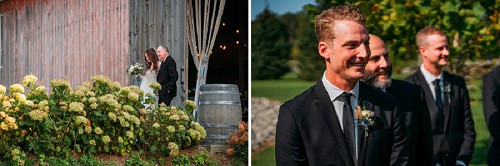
x=411, y=101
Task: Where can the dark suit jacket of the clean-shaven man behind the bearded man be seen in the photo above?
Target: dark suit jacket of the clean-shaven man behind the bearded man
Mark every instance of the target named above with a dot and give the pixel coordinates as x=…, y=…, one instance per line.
x=459, y=135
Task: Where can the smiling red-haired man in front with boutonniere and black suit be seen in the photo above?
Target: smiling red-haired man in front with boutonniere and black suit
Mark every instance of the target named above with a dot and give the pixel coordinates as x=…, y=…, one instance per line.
x=320, y=126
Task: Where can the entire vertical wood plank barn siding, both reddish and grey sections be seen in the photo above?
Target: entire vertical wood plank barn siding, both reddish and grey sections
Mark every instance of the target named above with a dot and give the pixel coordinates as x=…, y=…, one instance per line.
x=76, y=39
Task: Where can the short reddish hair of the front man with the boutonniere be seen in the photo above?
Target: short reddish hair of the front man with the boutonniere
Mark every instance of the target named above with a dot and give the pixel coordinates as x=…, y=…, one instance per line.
x=326, y=20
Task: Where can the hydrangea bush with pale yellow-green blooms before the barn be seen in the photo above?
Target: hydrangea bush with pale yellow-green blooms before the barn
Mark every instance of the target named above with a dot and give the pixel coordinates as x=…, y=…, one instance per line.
x=99, y=116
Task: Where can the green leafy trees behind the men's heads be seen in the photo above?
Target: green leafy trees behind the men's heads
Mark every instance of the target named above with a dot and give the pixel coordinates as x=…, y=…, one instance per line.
x=284, y=43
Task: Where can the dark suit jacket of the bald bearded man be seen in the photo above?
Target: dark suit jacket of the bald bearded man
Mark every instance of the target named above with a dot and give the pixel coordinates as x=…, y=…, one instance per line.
x=417, y=119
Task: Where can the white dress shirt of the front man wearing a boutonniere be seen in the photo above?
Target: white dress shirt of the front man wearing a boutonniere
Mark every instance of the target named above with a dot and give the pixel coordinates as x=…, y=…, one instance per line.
x=334, y=93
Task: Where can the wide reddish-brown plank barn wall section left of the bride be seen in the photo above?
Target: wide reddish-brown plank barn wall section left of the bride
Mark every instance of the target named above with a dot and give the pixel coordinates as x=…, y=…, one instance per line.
x=70, y=39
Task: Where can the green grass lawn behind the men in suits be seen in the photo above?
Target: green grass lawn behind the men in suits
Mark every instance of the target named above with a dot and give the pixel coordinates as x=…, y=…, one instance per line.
x=286, y=89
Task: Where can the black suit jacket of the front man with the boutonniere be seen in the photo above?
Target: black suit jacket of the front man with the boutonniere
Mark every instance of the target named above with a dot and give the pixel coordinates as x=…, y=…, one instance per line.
x=309, y=133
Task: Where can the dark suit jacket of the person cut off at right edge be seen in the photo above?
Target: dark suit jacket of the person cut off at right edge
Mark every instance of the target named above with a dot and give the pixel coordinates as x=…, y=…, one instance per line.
x=491, y=104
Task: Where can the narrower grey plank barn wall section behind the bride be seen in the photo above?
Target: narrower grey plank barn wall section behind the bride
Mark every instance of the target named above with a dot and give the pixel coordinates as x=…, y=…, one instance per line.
x=160, y=22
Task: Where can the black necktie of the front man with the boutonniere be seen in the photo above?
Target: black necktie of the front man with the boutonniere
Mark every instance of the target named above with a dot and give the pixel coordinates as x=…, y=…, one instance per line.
x=348, y=123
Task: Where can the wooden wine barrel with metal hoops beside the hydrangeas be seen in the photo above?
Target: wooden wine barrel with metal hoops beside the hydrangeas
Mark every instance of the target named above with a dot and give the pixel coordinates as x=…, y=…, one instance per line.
x=219, y=111
